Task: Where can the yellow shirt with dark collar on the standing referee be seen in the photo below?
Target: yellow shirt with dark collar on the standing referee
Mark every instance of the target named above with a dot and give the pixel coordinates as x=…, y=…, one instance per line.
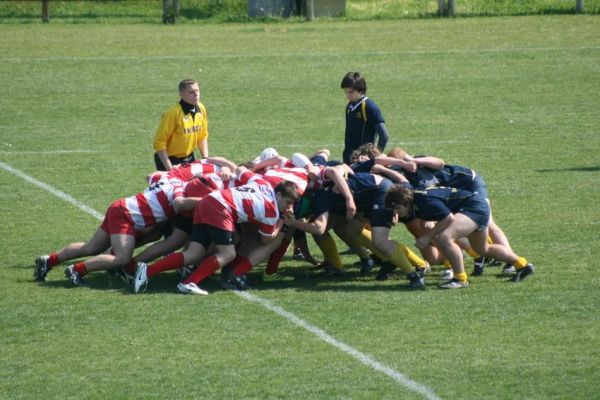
x=179, y=133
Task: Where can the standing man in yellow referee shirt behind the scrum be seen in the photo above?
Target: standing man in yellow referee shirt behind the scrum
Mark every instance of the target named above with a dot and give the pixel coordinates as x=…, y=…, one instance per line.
x=182, y=129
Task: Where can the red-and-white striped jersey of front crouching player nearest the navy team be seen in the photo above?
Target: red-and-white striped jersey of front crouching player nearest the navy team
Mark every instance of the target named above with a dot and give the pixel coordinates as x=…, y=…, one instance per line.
x=254, y=202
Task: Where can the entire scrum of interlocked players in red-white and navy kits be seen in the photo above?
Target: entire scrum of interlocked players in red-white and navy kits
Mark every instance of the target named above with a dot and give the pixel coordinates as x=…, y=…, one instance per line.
x=232, y=218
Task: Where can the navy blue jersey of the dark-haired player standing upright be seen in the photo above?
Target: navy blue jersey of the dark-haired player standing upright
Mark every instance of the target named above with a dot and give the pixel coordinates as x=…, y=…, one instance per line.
x=361, y=119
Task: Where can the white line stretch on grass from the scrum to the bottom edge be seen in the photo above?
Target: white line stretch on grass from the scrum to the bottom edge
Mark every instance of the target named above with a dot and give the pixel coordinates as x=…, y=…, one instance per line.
x=351, y=351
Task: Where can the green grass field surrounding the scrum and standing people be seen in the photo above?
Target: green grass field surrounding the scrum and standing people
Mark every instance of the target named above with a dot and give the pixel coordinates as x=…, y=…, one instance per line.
x=515, y=98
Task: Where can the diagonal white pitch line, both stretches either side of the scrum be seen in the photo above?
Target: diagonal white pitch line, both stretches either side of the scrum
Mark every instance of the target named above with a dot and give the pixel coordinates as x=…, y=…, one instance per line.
x=349, y=350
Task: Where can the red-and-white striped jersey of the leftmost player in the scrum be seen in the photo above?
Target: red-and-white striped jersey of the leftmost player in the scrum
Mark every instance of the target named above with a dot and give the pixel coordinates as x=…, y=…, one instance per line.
x=154, y=204
